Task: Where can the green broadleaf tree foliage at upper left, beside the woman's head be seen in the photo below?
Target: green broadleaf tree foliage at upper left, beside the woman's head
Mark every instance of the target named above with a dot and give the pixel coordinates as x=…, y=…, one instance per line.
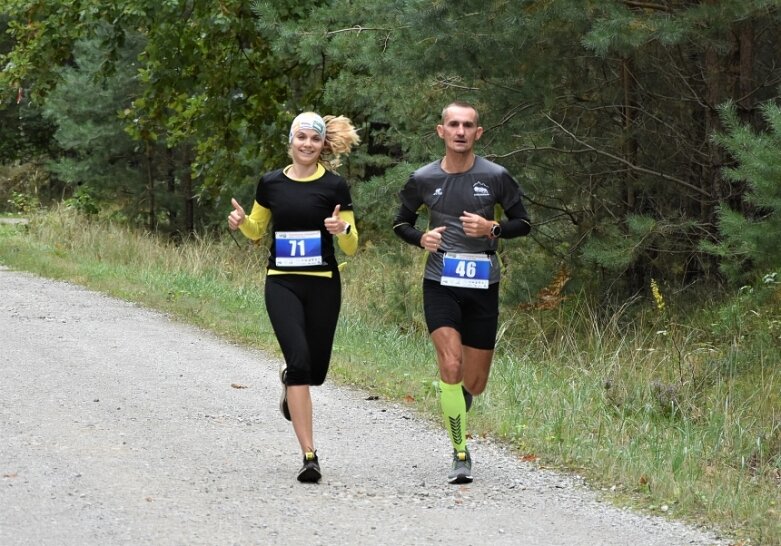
x=210, y=93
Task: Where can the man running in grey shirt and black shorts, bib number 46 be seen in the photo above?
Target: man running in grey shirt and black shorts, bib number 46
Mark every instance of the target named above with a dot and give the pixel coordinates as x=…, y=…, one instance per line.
x=461, y=277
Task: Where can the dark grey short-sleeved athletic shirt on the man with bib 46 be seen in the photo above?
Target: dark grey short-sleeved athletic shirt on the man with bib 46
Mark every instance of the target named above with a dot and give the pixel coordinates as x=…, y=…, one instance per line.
x=447, y=196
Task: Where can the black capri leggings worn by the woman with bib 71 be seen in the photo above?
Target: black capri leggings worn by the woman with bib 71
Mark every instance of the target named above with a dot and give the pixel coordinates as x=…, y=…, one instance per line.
x=304, y=311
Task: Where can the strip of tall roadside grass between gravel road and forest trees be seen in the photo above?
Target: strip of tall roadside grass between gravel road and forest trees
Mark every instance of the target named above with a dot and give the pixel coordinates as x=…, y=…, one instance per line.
x=678, y=416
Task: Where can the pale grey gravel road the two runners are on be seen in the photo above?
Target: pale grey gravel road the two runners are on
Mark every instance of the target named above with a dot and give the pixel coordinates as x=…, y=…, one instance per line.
x=121, y=426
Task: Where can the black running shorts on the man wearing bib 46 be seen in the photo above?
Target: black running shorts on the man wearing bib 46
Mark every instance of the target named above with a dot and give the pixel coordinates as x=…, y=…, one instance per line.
x=473, y=312
